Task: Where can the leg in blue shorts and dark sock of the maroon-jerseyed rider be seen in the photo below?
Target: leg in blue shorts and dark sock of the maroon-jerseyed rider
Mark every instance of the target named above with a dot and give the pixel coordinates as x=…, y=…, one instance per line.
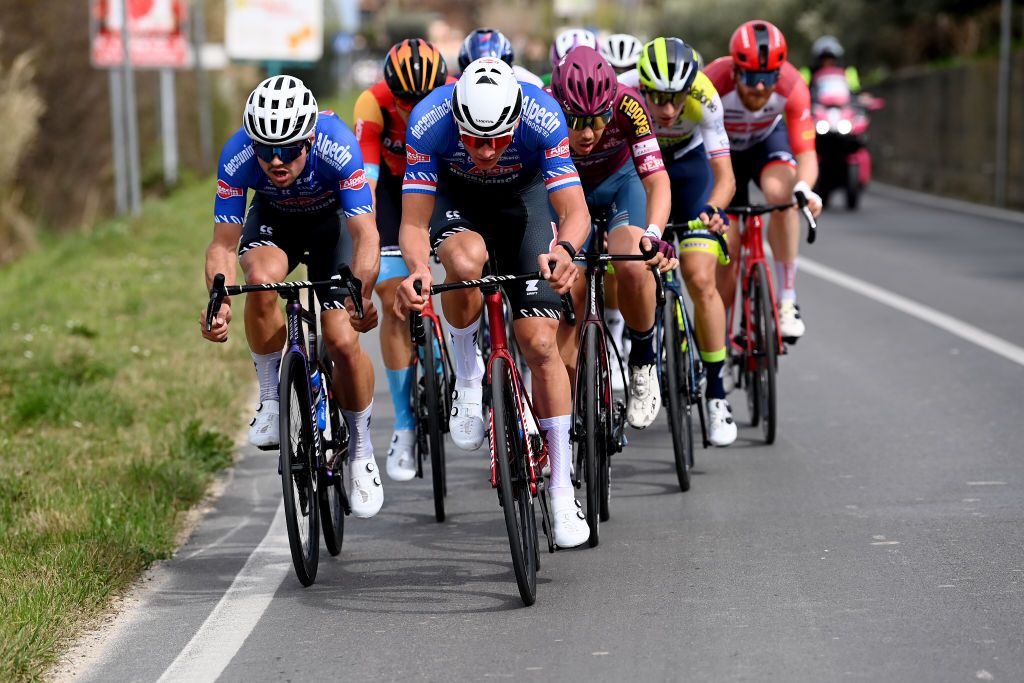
x=637, y=289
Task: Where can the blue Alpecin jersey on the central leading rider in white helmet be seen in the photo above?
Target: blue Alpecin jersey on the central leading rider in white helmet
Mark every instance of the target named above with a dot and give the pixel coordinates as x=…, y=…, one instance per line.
x=541, y=145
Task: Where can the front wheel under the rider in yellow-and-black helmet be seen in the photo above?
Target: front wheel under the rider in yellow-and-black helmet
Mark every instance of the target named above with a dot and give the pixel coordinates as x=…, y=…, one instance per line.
x=677, y=370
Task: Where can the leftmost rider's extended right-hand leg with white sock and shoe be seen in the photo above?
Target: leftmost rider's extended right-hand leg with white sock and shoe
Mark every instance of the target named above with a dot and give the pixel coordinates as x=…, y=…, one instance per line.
x=329, y=247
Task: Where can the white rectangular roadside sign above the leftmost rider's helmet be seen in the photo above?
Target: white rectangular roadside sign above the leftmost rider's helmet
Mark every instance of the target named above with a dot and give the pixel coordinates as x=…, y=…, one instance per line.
x=275, y=30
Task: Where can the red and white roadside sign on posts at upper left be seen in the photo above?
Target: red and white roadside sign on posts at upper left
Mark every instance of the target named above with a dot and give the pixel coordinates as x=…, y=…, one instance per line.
x=159, y=35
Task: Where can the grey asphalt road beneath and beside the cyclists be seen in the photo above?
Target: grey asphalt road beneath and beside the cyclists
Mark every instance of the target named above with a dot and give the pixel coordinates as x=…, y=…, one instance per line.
x=880, y=538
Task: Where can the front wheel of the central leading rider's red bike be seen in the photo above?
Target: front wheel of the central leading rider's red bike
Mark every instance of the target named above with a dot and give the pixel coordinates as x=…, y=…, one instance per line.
x=509, y=438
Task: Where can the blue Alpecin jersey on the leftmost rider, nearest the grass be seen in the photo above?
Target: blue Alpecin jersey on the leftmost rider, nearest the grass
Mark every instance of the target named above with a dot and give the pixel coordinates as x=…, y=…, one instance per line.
x=333, y=177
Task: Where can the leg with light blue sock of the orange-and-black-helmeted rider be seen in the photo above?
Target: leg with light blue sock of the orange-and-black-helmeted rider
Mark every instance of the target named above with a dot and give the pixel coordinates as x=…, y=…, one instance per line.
x=397, y=346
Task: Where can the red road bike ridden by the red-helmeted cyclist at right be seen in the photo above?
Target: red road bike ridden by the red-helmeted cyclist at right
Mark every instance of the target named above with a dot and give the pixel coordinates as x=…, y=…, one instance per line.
x=756, y=349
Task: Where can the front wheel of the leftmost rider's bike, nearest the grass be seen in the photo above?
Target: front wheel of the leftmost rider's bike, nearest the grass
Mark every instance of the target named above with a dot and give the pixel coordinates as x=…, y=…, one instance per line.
x=298, y=476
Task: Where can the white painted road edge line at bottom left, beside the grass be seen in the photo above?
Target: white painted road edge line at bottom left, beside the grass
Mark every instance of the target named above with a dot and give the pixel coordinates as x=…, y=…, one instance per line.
x=225, y=631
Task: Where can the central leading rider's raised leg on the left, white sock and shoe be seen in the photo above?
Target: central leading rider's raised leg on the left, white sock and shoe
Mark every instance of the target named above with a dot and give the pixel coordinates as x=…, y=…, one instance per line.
x=463, y=253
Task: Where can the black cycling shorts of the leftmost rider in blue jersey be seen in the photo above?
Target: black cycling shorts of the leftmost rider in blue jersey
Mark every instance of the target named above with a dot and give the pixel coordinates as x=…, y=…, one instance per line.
x=320, y=240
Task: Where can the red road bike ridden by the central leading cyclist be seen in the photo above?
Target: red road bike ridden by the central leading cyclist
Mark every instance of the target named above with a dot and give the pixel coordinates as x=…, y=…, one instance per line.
x=517, y=458
